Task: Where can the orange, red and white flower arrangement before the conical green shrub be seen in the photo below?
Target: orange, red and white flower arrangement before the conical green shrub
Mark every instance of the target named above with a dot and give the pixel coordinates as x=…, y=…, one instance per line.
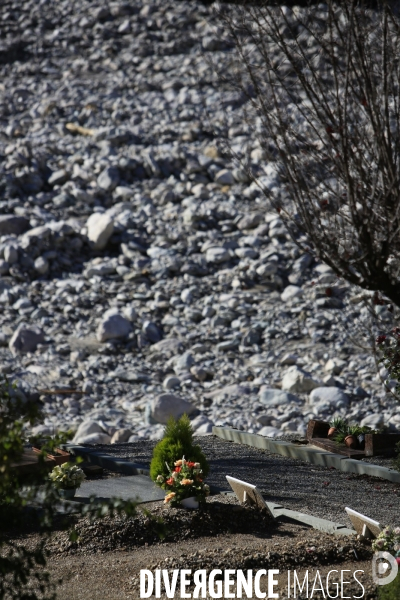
x=184, y=481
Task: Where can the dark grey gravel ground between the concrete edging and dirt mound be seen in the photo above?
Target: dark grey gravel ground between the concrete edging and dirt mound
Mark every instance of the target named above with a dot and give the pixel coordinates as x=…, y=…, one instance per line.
x=301, y=486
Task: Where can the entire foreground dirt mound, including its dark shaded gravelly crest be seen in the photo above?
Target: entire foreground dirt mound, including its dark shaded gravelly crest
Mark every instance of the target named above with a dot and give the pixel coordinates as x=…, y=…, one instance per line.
x=106, y=561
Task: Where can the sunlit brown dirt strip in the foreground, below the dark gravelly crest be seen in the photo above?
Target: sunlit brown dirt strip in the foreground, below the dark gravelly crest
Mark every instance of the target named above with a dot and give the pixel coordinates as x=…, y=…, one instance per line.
x=115, y=575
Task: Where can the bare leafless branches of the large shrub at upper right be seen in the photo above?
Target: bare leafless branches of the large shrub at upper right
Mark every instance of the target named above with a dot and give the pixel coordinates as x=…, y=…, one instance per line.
x=322, y=86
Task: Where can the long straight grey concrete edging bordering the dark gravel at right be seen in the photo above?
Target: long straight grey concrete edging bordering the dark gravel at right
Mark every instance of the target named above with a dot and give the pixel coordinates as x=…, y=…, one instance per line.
x=311, y=455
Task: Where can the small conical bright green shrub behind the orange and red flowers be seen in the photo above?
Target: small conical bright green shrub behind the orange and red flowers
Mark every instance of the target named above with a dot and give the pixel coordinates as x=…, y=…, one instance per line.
x=176, y=443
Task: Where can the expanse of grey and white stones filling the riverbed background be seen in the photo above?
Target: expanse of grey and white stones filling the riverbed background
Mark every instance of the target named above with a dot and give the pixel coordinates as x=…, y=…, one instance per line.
x=138, y=264
